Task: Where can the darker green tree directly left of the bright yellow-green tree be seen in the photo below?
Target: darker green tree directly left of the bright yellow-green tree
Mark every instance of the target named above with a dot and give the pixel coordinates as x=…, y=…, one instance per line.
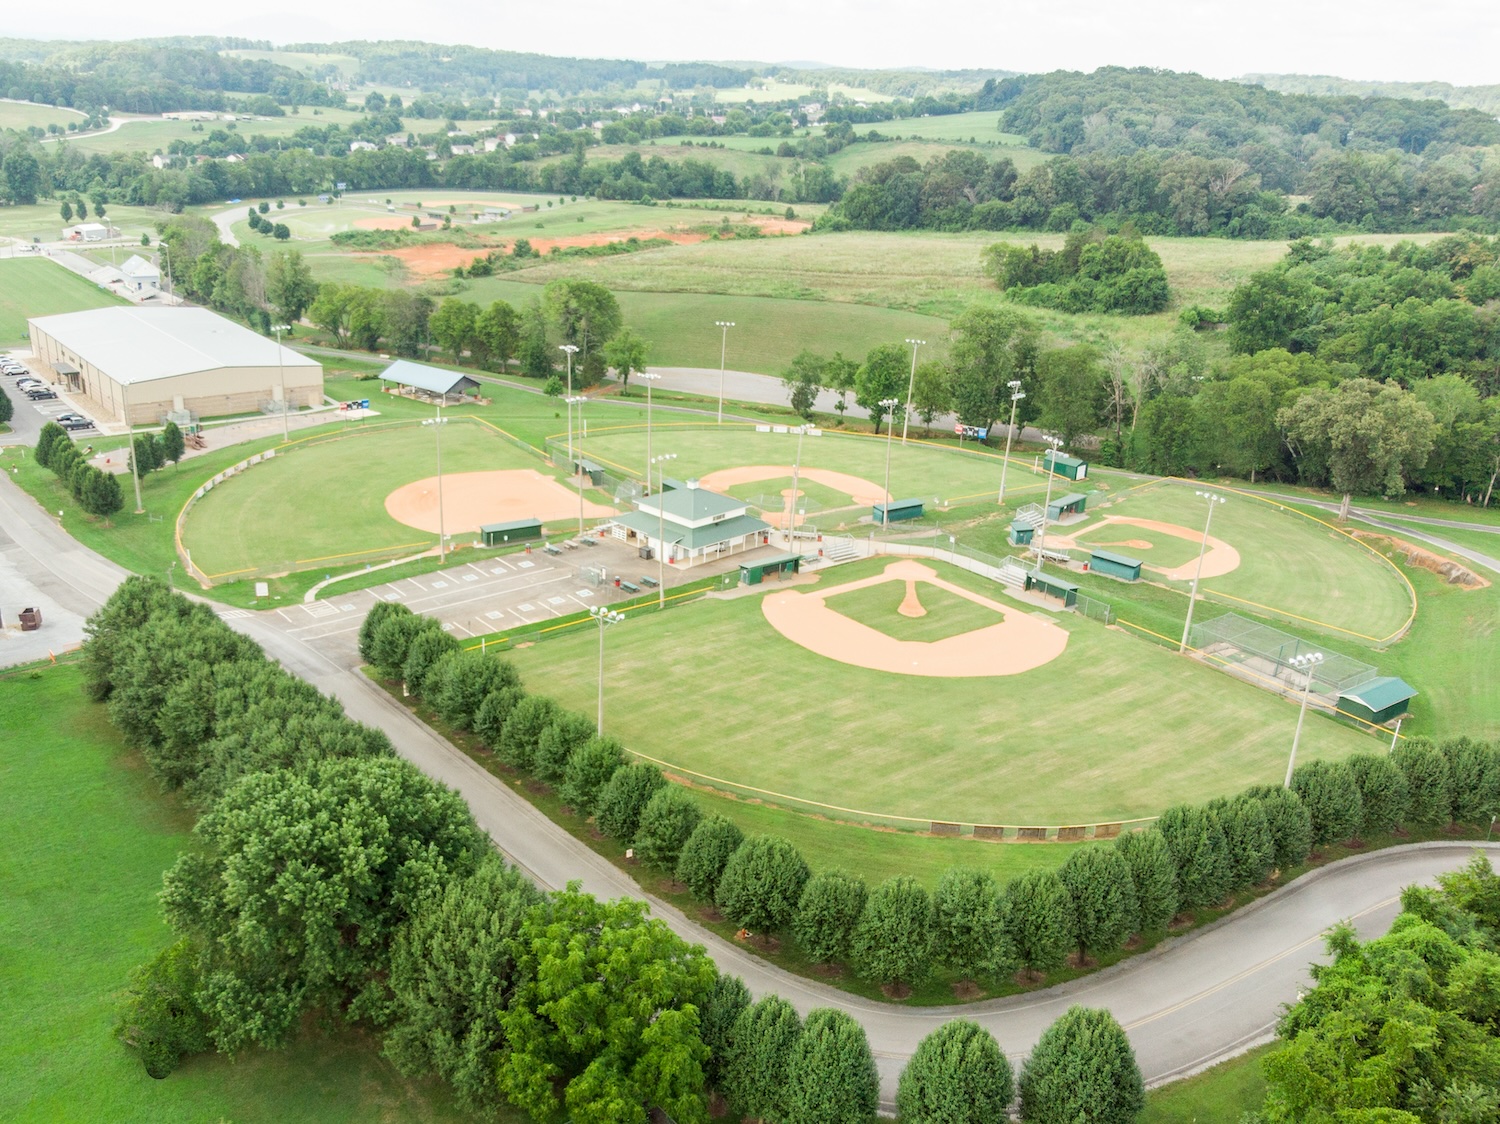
x=451, y=975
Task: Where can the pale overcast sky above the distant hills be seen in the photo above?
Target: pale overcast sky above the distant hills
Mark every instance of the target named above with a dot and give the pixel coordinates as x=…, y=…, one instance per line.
x=1456, y=41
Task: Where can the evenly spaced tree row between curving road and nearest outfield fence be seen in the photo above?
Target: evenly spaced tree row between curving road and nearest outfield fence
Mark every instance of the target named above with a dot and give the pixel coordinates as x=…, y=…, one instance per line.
x=1196, y=856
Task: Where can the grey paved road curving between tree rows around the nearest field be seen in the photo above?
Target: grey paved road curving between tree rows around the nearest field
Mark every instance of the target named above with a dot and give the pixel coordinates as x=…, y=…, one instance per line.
x=1187, y=1005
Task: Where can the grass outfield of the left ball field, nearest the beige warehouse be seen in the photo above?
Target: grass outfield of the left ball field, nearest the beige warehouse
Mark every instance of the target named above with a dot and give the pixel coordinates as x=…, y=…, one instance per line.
x=317, y=503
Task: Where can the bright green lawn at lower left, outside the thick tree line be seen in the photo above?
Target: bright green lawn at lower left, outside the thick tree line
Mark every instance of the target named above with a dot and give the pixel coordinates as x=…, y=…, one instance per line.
x=89, y=837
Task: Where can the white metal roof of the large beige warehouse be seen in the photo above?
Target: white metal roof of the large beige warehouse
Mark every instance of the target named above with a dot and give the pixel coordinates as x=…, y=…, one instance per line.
x=146, y=344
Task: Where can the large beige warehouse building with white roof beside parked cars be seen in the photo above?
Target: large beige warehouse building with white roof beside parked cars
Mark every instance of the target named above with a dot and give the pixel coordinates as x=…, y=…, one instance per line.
x=163, y=361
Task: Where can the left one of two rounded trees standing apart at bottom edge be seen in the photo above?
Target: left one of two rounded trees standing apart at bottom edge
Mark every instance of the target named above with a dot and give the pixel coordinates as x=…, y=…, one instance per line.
x=958, y=1075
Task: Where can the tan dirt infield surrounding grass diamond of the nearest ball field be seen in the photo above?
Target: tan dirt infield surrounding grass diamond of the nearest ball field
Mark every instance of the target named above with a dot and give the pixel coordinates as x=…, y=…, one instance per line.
x=1021, y=643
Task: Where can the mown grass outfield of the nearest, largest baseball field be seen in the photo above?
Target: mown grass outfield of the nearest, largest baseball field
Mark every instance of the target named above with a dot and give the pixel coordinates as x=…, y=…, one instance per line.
x=1112, y=730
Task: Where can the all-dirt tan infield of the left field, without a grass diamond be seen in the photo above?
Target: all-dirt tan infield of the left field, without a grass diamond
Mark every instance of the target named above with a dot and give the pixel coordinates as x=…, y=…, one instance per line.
x=475, y=499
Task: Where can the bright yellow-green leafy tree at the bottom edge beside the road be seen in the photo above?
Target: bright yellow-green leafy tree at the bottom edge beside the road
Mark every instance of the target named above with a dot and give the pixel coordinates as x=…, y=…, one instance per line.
x=626, y=1041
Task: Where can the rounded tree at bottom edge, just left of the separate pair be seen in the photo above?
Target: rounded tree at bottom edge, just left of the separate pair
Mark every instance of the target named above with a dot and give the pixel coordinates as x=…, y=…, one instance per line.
x=832, y=1077
